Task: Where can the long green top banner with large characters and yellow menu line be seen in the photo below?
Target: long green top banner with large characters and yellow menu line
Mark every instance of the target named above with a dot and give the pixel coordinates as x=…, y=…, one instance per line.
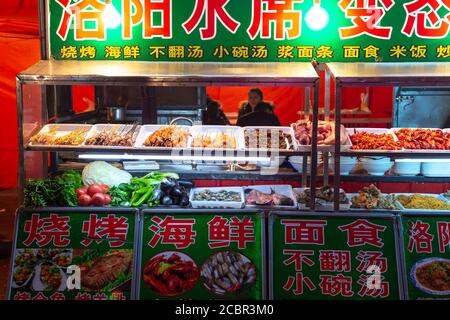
x=250, y=30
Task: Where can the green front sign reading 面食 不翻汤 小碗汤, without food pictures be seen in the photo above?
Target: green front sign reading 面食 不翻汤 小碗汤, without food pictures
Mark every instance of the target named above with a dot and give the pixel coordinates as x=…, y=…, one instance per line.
x=324, y=257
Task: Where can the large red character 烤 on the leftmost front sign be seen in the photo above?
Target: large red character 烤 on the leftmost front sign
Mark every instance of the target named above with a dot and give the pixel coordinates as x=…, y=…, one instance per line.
x=111, y=228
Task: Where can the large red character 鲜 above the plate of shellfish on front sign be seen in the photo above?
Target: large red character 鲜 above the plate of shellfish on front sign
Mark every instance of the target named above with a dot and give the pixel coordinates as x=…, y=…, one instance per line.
x=223, y=231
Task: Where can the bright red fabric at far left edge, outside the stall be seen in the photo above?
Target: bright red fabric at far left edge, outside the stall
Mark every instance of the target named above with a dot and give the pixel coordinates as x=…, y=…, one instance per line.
x=19, y=49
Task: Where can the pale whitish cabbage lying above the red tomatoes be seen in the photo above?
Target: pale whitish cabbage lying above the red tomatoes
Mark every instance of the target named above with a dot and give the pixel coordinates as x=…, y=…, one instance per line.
x=101, y=172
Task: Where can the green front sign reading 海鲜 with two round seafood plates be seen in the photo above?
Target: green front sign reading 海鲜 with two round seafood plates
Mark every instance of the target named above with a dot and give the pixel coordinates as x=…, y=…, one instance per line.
x=202, y=255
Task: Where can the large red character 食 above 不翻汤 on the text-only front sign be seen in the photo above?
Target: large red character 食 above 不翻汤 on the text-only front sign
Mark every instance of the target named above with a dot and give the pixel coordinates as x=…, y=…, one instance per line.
x=362, y=232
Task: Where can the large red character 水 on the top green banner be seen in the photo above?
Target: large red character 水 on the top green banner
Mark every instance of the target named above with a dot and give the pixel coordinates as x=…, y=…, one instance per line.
x=212, y=10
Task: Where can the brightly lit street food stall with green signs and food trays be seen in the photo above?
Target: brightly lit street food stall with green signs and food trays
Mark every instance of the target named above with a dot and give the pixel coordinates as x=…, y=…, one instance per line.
x=127, y=194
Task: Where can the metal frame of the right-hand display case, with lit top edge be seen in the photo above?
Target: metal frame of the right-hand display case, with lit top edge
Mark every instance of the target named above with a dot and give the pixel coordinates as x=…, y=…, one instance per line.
x=430, y=74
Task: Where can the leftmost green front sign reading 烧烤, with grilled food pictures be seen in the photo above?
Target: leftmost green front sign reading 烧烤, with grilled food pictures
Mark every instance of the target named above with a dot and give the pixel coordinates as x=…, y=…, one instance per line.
x=67, y=254
